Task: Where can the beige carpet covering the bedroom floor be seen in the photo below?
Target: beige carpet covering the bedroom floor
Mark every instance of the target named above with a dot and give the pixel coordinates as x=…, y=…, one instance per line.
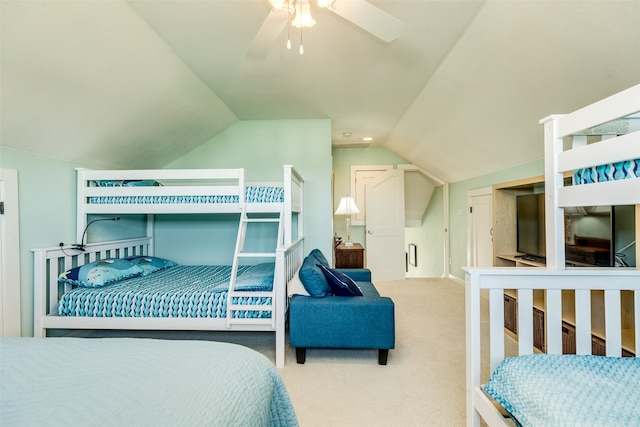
x=422, y=385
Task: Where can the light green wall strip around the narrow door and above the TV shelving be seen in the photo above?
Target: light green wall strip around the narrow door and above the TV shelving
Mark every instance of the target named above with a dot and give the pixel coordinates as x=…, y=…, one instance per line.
x=458, y=208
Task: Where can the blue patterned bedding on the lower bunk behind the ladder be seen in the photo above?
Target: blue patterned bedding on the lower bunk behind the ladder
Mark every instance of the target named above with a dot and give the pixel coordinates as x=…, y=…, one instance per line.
x=178, y=291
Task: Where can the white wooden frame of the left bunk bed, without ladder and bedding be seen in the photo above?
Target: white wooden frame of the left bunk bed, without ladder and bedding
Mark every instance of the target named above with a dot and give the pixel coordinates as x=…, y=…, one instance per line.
x=50, y=262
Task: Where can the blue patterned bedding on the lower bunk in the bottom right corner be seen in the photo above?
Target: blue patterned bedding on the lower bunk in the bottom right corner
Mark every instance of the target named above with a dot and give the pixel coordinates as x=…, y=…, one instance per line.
x=568, y=390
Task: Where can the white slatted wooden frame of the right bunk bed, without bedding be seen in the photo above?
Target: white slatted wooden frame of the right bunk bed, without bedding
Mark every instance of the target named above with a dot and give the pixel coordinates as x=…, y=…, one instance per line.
x=481, y=283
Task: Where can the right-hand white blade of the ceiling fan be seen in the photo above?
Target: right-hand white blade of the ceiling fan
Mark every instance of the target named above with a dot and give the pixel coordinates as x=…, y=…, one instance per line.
x=370, y=18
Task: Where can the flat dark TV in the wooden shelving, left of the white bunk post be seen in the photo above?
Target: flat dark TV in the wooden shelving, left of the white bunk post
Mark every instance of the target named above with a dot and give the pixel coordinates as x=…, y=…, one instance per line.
x=530, y=225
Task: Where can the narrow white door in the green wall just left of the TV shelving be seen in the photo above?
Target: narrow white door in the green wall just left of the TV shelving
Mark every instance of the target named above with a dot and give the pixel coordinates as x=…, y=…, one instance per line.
x=480, y=224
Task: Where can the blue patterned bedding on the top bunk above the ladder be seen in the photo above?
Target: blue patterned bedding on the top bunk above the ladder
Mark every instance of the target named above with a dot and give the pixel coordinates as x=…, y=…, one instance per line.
x=253, y=194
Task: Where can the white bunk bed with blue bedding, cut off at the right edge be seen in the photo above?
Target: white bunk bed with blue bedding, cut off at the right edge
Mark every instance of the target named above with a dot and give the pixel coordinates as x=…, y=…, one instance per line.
x=596, y=136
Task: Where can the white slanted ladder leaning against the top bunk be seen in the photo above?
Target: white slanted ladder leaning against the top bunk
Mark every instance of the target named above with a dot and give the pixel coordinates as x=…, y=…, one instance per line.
x=235, y=309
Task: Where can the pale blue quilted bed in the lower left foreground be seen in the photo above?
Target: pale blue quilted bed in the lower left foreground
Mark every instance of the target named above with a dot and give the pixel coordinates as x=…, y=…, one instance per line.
x=138, y=382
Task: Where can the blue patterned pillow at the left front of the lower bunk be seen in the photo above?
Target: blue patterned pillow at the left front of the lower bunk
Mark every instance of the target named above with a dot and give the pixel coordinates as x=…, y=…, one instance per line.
x=100, y=273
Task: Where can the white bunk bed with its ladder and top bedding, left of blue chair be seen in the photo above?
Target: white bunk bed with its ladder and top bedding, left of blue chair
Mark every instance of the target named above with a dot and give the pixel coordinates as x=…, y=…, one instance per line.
x=178, y=191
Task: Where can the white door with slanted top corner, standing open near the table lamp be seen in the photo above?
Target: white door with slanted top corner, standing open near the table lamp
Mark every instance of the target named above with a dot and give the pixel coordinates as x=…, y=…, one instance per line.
x=385, y=226
